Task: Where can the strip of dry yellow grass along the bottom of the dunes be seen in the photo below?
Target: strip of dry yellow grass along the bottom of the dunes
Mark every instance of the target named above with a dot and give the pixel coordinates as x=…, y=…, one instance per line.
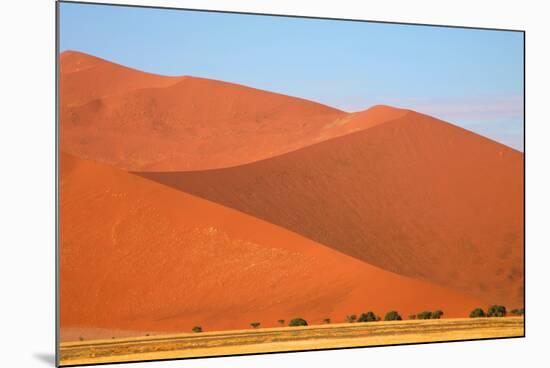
x=287, y=339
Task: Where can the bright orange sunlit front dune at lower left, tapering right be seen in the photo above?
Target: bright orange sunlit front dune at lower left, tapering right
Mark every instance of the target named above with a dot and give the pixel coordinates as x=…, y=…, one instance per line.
x=137, y=255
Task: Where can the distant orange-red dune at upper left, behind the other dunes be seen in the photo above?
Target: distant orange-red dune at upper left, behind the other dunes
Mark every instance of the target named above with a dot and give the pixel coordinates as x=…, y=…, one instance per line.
x=143, y=122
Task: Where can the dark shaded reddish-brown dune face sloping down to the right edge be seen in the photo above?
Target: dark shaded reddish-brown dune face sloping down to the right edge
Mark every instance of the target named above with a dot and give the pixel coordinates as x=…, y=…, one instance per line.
x=415, y=195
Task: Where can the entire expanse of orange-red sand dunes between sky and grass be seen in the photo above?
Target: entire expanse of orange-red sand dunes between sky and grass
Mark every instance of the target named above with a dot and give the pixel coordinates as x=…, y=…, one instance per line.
x=189, y=201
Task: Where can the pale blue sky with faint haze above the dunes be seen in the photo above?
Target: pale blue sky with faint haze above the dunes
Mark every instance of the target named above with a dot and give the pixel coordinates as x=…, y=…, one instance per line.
x=472, y=78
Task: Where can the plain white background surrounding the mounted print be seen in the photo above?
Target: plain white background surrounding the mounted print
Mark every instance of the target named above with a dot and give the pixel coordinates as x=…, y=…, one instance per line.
x=27, y=182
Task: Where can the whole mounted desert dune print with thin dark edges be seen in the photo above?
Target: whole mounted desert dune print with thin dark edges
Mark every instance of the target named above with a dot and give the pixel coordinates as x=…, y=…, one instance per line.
x=233, y=183
